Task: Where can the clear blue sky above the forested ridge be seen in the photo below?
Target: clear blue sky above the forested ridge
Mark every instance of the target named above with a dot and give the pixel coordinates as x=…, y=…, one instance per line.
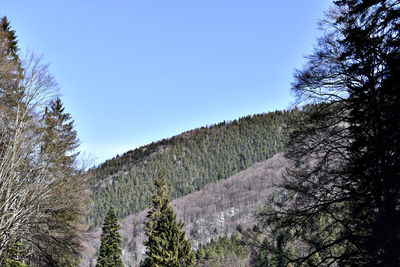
x=133, y=72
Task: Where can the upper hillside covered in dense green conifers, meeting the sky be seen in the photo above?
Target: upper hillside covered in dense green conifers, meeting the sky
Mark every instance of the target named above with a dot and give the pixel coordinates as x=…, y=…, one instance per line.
x=189, y=161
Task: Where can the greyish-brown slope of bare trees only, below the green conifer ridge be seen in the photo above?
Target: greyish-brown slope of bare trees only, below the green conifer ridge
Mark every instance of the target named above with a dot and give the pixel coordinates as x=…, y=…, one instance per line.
x=213, y=211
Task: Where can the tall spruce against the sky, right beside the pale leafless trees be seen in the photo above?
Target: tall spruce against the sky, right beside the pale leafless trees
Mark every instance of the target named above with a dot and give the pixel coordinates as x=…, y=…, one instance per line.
x=58, y=149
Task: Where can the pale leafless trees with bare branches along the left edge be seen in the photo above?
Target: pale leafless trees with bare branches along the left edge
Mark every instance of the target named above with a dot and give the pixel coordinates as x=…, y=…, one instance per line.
x=39, y=204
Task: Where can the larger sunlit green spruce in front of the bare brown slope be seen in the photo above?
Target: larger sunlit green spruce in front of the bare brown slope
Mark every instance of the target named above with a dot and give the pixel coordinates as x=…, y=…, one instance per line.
x=166, y=244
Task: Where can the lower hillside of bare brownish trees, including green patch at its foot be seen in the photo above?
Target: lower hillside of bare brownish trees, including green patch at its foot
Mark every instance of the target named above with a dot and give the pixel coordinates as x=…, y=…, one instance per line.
x=209, y=214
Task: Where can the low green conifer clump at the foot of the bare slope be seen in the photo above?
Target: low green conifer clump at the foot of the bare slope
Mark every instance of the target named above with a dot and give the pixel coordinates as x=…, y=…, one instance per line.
x=215, y=252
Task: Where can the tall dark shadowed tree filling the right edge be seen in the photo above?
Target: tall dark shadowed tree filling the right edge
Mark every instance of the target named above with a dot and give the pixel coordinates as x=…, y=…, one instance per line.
x=340, y=202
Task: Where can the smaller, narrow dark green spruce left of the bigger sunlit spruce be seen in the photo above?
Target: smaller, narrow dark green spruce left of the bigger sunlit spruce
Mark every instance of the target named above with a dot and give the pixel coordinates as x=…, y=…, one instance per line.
x=110, y=252
